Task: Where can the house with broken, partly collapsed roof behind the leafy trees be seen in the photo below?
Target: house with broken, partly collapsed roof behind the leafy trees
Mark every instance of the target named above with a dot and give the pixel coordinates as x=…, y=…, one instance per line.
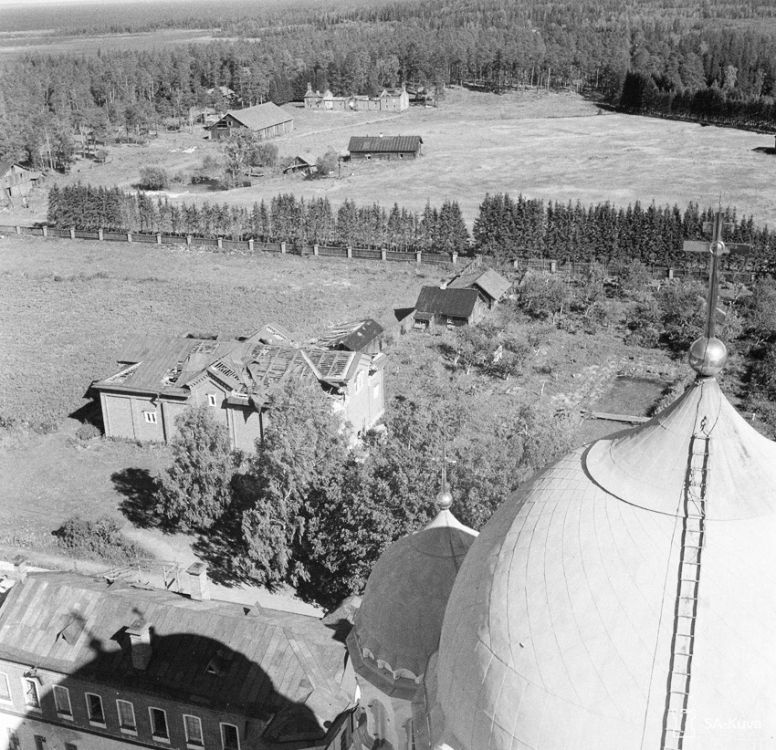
x=162, y=375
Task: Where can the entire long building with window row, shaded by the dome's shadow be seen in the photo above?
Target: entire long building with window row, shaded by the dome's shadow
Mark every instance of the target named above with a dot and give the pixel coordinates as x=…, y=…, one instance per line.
x=94, y=664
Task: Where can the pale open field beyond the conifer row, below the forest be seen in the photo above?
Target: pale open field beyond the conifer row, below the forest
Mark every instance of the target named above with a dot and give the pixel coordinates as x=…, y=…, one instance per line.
x=551, y=146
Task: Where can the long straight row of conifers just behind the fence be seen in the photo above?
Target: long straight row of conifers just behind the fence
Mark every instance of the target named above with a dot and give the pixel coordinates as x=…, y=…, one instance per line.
x=505, y=228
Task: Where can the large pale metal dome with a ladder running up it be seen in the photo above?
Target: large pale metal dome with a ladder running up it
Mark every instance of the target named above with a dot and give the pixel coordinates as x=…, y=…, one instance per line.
x=625, y=598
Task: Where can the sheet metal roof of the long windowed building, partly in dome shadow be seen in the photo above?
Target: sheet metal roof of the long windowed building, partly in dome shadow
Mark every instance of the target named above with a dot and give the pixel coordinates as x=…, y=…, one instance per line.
x=257, y=663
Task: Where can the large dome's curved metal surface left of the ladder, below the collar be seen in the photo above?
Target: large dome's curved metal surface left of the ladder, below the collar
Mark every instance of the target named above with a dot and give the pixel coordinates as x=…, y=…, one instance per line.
x=556, y=613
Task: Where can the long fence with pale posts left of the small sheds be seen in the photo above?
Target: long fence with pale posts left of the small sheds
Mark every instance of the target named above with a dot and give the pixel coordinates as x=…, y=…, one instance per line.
x=244, y=246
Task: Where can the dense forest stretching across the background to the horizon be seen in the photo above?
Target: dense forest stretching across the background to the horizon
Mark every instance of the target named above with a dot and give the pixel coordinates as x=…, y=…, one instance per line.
x=715, y=61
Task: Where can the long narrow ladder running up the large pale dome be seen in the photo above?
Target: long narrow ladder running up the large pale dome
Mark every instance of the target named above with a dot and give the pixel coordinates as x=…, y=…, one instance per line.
x=686, y=606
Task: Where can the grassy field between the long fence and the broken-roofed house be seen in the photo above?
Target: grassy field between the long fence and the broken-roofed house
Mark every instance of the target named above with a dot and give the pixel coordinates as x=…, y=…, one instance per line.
x=69, y=305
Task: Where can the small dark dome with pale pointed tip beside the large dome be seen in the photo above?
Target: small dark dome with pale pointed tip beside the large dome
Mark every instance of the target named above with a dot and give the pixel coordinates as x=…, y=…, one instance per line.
x=397, y=627
